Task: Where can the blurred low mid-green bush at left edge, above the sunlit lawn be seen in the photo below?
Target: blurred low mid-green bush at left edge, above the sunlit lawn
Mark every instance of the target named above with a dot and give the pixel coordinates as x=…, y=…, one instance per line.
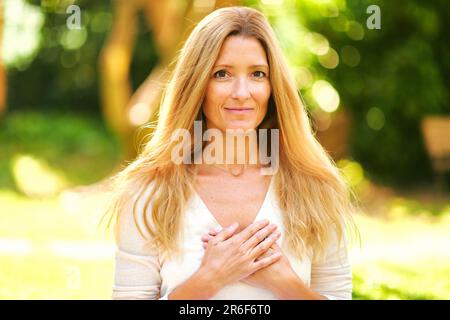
x=79, y=146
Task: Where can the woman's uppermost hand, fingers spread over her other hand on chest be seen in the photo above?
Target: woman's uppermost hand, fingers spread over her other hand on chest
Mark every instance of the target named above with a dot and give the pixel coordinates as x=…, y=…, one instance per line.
x=232, y=257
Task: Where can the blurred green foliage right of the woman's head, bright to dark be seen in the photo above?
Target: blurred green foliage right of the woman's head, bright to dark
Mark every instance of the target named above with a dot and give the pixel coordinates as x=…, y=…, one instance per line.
x=388, y=79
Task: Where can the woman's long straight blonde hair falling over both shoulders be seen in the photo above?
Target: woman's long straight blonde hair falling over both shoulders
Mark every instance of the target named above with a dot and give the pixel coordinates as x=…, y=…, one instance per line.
x=313, y=196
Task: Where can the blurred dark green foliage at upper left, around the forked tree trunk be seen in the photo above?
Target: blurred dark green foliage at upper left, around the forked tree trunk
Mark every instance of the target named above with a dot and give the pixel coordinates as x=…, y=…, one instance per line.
x=63, y=73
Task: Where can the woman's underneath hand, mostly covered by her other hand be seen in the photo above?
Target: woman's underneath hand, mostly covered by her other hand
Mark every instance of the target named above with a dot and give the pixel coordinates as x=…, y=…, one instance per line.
x=270, y=276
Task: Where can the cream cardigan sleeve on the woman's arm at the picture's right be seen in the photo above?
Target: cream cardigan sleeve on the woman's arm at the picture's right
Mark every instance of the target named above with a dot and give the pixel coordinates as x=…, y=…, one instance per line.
x=331, y=276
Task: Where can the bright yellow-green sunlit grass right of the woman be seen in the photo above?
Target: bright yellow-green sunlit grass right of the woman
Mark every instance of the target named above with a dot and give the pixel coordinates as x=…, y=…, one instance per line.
x=402, y=258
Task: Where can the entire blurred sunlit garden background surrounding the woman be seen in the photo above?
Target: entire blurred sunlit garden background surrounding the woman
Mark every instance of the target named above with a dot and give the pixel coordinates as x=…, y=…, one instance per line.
x=79, y=78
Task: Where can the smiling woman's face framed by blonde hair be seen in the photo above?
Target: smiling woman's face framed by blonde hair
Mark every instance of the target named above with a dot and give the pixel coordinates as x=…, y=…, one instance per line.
x=238, y=90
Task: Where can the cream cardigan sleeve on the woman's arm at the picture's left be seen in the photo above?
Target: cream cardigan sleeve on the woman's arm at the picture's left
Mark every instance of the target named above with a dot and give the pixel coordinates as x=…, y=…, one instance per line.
x=137, y=263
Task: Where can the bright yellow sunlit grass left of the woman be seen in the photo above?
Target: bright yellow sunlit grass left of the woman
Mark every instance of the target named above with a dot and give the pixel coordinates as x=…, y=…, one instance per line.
x=58, y=264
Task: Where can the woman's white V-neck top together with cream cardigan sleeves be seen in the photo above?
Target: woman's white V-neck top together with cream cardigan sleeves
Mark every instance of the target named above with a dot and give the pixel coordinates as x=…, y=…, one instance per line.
x=143, y=271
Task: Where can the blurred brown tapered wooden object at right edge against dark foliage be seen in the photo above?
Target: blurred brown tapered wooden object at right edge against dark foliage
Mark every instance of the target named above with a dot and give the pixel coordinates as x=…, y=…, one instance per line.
x=436, y=133
